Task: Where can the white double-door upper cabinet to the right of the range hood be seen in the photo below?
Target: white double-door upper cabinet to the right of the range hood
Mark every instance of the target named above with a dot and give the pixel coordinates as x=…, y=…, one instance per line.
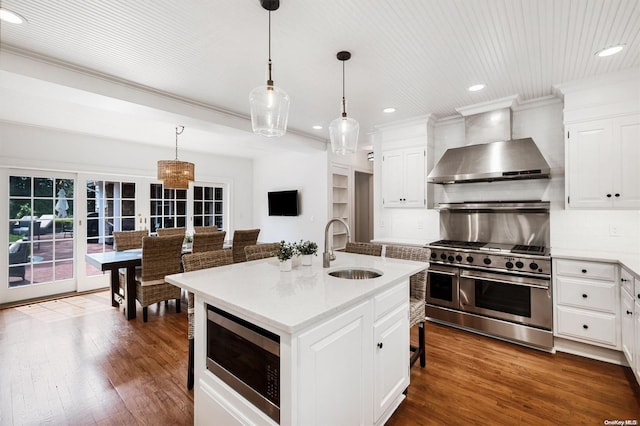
x=602, y=163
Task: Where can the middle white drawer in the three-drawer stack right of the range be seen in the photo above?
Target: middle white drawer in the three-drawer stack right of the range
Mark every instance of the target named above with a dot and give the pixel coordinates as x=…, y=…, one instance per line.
x=600, y=295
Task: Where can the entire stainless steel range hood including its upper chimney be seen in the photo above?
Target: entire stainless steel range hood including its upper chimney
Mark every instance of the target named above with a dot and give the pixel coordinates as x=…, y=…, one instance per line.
x=500, y=158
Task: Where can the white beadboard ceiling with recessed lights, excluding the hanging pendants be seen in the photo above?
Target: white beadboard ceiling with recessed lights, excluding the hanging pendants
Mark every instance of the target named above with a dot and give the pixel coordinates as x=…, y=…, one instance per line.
x=418, y=56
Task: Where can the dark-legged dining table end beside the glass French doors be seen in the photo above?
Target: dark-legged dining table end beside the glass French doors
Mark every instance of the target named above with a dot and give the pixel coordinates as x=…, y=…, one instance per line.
x=112, y=261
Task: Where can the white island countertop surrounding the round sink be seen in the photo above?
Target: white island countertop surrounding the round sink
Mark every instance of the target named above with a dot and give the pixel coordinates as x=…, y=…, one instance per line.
x=290, y=301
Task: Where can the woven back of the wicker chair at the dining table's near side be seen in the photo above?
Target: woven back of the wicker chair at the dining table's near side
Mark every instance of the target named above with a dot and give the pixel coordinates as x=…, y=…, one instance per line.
x=161, y=256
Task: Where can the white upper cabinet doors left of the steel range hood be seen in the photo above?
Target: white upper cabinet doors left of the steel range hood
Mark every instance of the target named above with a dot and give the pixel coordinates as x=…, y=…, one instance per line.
x=403, y=173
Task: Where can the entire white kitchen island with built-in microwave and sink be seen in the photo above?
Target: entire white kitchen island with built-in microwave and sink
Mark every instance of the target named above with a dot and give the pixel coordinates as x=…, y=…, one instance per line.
x=343, y=343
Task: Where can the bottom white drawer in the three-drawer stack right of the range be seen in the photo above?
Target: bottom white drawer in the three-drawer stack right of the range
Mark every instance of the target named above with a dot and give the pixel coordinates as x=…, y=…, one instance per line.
x=592, y=327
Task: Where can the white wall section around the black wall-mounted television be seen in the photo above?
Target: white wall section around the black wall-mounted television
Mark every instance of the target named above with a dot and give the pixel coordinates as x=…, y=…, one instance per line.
x=308, y=174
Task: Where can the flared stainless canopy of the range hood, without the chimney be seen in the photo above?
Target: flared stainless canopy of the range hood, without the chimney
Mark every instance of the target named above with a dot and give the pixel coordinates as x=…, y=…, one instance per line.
x=503, y=160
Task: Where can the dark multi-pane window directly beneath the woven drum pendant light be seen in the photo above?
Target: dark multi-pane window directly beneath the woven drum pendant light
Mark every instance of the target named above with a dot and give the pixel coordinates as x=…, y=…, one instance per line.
x=168, y=207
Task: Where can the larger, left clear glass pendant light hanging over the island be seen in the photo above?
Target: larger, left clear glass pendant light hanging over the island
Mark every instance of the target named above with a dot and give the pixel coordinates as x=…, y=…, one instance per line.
x=269, y=104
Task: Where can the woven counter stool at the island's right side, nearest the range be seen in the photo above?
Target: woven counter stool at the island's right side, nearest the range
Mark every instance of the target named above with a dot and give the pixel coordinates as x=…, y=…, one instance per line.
x=417, y=295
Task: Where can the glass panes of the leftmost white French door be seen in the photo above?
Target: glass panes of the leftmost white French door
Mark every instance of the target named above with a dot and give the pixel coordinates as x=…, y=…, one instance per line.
x=41, y=245
